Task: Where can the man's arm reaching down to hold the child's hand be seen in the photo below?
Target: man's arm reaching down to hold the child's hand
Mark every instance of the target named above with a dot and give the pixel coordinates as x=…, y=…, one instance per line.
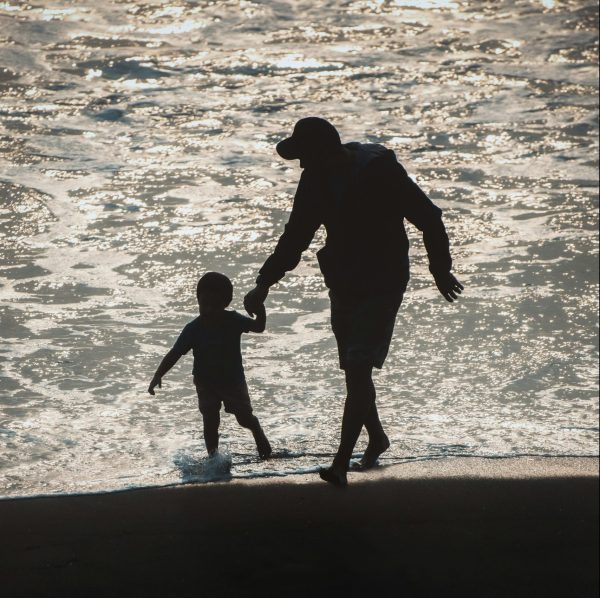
x=299, y=231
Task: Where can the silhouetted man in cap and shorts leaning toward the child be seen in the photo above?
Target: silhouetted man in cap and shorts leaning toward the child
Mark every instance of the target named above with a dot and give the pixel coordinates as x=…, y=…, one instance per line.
x=361, y=194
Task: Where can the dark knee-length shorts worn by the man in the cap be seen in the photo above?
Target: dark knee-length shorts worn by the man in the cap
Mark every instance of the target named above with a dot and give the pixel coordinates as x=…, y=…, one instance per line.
x=363, y=326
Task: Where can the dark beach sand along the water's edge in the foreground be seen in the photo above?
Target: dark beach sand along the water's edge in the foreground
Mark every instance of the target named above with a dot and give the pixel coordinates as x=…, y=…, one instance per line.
x=452, y=527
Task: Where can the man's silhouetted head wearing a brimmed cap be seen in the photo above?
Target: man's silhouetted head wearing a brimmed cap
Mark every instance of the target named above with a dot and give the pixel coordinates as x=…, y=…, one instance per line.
x=314, y=141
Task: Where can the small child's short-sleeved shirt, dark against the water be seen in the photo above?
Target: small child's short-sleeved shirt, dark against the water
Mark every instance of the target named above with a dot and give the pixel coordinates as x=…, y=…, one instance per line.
x=216, y=346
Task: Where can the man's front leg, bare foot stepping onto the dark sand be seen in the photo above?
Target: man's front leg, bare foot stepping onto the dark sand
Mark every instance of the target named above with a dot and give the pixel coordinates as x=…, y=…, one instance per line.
x=359, y=402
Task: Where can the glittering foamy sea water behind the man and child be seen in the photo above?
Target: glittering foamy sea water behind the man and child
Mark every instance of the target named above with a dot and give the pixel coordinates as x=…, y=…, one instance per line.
x=137, y=151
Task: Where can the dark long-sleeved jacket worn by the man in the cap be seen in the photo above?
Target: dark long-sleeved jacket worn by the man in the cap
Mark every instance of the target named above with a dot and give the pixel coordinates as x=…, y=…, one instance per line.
x=363, y=208
